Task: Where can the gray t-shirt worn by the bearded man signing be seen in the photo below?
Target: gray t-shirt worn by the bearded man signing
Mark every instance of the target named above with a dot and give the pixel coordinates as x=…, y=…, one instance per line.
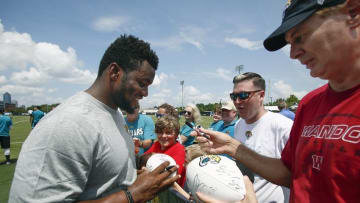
x=79, y=151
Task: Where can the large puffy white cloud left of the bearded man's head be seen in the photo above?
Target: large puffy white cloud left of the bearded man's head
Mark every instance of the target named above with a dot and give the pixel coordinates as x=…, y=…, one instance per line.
x=39, y=62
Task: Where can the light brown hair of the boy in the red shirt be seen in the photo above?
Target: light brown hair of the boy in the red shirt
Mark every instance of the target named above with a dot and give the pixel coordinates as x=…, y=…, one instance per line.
x=167, y=123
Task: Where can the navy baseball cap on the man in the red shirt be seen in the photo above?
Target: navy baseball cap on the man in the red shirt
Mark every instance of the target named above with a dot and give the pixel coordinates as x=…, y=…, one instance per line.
x=296, y=12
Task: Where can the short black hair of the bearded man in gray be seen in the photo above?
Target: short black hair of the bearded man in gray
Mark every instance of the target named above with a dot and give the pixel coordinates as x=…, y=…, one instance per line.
x=129, y=53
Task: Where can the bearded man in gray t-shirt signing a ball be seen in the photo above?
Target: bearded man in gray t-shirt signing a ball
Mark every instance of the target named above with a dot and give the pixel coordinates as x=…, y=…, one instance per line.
x=82, y=151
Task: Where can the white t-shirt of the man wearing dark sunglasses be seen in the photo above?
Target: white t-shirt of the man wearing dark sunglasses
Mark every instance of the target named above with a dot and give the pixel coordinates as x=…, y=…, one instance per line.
x=268, y=137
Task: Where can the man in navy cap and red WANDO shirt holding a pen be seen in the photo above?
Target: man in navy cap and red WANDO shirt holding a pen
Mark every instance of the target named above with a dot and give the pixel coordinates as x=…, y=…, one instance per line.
x=321, y=161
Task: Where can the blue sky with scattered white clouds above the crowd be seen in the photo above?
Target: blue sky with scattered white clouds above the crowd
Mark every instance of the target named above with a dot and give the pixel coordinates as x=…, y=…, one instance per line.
x=50, y=50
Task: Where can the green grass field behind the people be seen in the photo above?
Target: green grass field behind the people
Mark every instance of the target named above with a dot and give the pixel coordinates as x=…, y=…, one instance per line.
x=20, y=130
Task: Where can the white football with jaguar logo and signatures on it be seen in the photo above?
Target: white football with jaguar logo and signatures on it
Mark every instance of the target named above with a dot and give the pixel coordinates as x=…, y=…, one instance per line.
x=216, y=176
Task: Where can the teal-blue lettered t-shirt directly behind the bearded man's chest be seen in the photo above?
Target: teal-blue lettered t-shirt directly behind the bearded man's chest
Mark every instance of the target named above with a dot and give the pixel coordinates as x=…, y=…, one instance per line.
x=143, y=129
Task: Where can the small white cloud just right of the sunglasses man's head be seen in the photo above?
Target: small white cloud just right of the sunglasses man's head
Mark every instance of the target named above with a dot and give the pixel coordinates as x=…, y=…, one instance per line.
x=282, y=90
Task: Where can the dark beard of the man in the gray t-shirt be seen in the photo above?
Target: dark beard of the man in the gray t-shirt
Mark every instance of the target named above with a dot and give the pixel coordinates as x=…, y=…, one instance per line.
x=120, y=97
